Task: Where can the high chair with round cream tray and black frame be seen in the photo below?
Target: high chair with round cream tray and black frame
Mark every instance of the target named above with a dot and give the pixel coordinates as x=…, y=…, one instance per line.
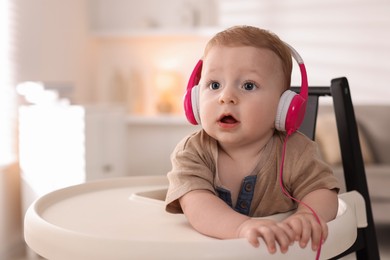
x=125, y=218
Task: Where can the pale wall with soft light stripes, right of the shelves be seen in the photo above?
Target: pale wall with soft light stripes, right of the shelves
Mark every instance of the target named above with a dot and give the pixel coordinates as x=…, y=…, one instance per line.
x=335, y=38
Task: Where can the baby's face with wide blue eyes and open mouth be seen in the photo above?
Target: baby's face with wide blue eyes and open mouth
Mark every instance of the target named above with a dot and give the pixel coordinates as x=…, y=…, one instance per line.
x=239, y=93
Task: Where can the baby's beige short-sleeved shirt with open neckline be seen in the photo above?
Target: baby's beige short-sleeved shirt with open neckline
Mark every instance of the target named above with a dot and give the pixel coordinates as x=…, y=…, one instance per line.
x=194, y=163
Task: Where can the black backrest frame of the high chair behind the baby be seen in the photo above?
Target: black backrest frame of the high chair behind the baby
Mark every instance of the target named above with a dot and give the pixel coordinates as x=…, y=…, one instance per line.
x=365, y=246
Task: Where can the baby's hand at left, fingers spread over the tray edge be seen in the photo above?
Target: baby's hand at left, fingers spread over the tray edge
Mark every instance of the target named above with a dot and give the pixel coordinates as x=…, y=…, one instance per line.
x=270, y=231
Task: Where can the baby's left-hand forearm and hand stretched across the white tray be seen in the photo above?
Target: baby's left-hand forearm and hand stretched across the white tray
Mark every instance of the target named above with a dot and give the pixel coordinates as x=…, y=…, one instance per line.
x=213, y=217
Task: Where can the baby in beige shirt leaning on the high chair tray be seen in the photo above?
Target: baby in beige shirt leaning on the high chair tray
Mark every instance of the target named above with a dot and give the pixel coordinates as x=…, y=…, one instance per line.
x=226, y=175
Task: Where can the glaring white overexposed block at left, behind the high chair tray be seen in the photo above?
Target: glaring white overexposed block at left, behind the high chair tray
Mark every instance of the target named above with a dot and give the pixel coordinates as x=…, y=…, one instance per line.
x=52, y=146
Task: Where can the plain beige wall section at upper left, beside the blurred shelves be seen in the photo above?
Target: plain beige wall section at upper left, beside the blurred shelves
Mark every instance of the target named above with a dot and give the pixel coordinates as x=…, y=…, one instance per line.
x=53, y=44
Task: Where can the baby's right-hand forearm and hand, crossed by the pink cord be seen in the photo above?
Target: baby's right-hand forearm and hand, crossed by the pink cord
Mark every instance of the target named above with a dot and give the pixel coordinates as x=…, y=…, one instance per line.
x=325, y=204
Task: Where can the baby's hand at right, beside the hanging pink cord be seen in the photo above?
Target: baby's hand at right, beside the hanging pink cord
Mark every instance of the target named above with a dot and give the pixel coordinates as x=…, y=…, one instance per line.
x=306, y=227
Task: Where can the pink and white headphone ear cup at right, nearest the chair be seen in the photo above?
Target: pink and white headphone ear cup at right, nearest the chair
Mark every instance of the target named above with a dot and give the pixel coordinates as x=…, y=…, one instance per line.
x=290, y=113
